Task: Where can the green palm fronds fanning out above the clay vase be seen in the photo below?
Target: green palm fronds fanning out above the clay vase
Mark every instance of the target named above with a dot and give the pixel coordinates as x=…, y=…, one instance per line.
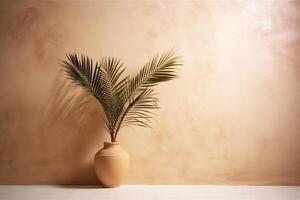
x=125, y=101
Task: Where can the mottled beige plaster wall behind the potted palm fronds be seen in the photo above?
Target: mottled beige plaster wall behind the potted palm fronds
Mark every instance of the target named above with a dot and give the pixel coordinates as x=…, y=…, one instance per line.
x=232, y=118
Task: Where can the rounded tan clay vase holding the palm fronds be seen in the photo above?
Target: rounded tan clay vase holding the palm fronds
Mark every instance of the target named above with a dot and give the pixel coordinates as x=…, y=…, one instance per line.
x=111, y=164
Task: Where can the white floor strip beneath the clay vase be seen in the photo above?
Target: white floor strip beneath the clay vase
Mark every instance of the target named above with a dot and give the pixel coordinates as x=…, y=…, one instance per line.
x=137, y=192
